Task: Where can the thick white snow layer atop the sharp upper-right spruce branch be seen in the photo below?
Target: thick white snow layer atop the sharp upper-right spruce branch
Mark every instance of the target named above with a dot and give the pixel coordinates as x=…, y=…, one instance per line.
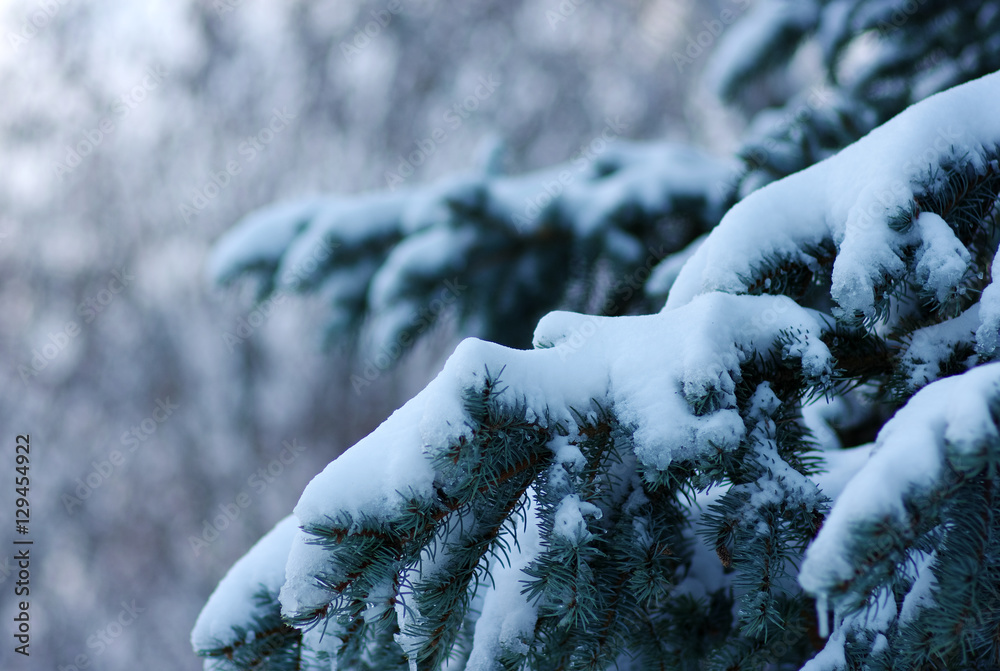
x=847, y=199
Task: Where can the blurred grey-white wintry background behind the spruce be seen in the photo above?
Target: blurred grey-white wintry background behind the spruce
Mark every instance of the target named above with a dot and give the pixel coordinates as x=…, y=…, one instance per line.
x=132, y=135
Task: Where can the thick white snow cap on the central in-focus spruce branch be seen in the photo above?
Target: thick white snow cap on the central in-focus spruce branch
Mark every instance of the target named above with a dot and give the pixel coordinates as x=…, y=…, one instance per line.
x=607, y=359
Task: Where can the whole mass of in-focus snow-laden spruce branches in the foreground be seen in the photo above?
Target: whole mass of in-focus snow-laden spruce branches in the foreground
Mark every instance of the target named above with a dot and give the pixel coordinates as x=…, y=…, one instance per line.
x=535, y=508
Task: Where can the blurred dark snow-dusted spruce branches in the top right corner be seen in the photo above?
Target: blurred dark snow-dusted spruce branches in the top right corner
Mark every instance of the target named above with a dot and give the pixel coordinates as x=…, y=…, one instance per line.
x=912, y=49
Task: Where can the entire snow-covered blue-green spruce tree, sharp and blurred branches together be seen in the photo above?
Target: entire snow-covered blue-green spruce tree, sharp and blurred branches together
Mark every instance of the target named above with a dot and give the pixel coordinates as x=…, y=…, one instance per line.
x=792, y=464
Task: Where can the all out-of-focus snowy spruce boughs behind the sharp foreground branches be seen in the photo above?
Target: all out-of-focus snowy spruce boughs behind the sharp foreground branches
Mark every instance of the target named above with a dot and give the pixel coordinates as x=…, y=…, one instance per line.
x=499, y=252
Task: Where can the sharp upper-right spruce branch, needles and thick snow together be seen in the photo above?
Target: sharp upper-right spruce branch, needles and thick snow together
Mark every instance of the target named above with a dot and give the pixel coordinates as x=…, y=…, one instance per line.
x=872, y=215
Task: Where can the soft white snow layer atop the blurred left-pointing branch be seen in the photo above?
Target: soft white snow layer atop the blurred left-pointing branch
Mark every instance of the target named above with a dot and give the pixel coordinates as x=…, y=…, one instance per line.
x=297, y=234
